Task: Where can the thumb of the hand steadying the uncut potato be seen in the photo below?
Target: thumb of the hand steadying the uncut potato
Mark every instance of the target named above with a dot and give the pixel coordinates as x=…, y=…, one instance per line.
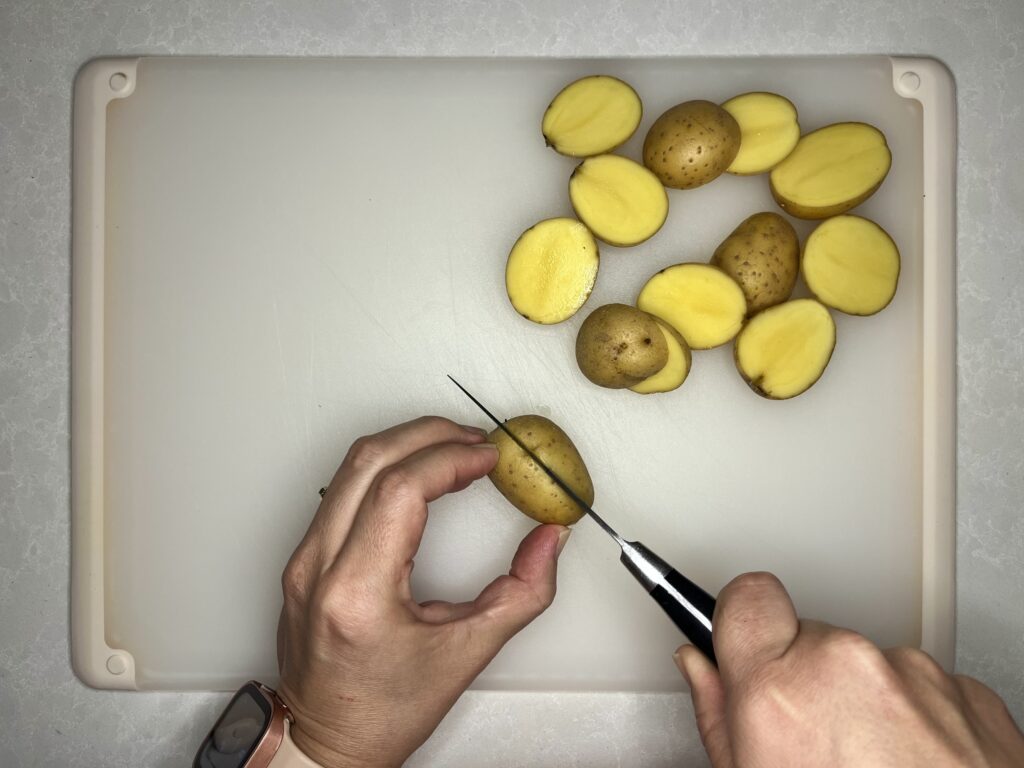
x=513, y=602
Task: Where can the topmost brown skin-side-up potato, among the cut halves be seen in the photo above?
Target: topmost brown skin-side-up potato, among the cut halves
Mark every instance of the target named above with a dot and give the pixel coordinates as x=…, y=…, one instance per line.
x=692, y=144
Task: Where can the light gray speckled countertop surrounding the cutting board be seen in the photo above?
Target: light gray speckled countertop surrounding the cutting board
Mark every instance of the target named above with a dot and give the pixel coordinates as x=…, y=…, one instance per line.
x=48, y=718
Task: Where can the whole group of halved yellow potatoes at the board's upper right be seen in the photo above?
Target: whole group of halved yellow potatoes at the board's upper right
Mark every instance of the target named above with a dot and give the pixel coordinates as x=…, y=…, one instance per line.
x=743, y=294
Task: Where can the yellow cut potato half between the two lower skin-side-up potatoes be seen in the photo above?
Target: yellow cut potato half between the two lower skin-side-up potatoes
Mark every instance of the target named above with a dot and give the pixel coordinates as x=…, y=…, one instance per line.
x=702, y=303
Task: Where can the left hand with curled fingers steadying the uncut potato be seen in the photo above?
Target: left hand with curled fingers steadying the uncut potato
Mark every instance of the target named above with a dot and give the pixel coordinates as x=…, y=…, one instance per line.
x=367, y=671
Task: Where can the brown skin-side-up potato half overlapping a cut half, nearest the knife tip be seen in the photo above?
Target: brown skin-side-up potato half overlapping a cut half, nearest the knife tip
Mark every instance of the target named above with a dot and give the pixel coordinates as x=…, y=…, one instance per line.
x=620, y=347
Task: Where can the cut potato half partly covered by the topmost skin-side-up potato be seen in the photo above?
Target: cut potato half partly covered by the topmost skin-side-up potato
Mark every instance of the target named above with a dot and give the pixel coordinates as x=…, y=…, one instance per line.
x=769, y=131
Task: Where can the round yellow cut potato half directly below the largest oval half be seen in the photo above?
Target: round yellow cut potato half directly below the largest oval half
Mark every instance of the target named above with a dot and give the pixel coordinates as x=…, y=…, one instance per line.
x=851, y=265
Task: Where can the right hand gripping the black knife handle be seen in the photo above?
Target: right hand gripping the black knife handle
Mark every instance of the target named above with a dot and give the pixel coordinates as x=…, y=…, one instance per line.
x=792, y=693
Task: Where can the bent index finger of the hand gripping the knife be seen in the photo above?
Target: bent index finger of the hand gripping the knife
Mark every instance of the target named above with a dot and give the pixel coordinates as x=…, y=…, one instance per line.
x=755, y=623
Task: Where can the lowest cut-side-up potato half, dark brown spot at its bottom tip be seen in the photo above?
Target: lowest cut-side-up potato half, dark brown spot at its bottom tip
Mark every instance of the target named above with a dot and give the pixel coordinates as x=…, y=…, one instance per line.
x=785, y=350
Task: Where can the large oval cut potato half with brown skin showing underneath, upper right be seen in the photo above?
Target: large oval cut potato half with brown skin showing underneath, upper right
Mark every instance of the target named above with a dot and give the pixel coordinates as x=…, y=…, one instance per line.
x=832, y=170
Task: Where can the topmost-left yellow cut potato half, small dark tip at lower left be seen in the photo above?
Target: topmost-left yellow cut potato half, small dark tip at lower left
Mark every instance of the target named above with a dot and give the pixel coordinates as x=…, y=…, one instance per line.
x=592, y=116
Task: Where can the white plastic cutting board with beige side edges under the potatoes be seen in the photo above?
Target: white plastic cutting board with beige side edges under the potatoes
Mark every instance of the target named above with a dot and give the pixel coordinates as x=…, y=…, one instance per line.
x=275, y=258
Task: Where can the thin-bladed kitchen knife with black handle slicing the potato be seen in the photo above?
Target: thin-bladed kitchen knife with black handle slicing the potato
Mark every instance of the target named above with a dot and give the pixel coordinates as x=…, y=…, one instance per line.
x=688, y=606
